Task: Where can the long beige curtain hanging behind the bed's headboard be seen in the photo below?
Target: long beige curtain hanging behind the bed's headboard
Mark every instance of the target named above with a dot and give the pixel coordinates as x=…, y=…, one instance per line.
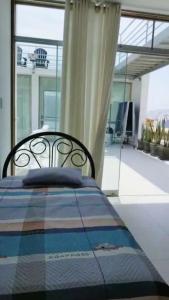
x=90, y=42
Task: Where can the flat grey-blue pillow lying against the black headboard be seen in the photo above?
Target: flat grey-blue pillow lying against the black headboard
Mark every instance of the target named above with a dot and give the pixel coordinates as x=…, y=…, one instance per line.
x=53, y=176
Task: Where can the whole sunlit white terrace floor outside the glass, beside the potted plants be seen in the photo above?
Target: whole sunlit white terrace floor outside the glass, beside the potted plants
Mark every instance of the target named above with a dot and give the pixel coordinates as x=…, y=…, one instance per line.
x=136, y=172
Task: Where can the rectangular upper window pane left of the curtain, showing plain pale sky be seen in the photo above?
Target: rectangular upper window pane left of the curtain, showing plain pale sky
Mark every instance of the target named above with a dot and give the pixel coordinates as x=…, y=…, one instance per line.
x=39, y=22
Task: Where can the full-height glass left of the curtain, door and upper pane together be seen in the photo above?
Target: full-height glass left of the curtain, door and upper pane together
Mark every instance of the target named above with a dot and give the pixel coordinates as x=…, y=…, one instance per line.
x=38, y=69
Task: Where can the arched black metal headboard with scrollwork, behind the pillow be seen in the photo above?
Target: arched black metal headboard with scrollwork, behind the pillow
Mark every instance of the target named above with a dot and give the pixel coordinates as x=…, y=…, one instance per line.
x=49, y=147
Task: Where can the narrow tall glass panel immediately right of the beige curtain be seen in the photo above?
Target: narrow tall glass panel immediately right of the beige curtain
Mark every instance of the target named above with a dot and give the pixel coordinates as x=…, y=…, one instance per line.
x=121, y=92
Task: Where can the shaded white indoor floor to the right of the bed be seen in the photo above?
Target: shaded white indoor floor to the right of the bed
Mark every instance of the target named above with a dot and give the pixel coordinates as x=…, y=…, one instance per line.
x=149, y=224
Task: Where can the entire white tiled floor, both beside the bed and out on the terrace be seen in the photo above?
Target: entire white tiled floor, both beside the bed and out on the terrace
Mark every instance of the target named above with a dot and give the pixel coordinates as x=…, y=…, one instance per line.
x=143, y=203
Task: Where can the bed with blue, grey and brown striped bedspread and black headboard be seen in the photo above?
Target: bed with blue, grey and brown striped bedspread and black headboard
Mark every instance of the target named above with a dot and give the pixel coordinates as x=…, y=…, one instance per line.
x=65, y=241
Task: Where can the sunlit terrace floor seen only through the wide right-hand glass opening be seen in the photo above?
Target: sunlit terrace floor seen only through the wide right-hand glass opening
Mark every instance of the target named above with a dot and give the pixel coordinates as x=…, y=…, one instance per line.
x=142, y=174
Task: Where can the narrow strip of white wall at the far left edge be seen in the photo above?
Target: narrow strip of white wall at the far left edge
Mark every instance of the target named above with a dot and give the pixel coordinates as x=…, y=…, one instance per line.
x=5, y=50
